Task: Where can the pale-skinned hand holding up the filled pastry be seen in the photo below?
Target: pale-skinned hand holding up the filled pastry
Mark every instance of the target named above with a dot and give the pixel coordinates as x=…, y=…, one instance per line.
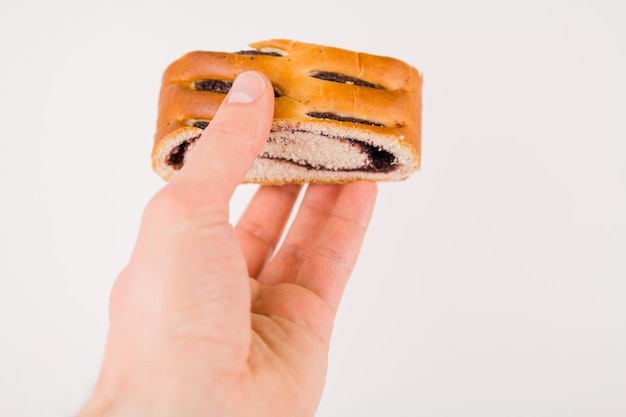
x=211, y=319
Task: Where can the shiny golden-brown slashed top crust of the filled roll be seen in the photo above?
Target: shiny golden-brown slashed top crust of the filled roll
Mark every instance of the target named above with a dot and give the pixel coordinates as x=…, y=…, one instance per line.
x=395, y=108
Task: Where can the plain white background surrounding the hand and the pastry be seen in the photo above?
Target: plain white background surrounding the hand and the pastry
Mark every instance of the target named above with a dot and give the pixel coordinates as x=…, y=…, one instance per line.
x=491, y=283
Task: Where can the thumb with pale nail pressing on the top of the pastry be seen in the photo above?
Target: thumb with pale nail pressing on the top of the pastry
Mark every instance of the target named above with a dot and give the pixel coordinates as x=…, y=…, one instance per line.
x=233, y=139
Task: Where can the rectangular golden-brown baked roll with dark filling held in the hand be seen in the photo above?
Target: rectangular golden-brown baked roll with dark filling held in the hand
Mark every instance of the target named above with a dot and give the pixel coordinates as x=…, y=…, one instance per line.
x=339, y=116
